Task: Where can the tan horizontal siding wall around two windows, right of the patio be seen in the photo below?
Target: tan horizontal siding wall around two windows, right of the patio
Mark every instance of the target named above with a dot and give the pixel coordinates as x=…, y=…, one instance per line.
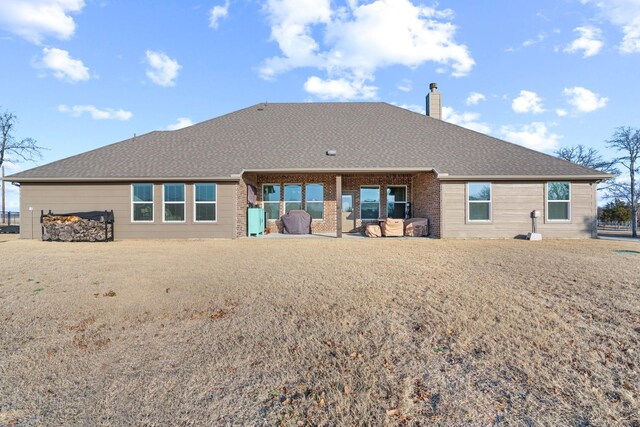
x=511, y=206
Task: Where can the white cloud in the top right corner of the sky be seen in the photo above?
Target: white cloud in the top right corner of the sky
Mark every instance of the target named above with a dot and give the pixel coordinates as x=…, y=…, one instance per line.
x=626, y=15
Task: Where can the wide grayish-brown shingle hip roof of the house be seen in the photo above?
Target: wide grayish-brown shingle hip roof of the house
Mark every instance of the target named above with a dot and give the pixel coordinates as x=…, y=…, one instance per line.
x=296, y=136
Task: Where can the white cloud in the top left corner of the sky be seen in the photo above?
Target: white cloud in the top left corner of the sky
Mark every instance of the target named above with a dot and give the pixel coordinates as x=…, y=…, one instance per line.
x=36, y=19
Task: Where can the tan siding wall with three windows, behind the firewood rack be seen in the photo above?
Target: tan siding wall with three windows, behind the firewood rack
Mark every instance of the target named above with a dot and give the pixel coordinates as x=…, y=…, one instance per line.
x=62, y=198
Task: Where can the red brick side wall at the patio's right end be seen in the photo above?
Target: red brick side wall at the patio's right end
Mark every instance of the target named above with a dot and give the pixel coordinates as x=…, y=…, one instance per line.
x=426, y=200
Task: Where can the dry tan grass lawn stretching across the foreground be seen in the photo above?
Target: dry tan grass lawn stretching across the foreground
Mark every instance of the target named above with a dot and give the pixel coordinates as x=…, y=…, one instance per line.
x=300, y=332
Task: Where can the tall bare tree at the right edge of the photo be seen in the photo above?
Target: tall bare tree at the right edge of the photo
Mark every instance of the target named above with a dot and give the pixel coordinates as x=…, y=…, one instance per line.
x=627, y=141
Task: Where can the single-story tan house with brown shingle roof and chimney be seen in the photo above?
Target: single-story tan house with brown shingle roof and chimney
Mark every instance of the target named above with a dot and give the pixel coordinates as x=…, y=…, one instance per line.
x=345, y=163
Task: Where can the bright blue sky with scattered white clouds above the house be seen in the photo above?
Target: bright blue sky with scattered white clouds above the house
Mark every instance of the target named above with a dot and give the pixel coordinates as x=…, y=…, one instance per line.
x=81, y=74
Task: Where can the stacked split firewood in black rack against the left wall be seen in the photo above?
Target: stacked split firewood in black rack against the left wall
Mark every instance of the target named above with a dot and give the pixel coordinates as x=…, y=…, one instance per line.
x=73, y=229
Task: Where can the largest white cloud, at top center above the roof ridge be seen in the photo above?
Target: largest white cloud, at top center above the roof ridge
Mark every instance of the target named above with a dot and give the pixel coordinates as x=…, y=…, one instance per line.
x=351, y=42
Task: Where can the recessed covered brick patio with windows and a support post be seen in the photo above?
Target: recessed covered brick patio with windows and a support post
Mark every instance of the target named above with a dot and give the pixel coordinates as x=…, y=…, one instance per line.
x=342, y=204
